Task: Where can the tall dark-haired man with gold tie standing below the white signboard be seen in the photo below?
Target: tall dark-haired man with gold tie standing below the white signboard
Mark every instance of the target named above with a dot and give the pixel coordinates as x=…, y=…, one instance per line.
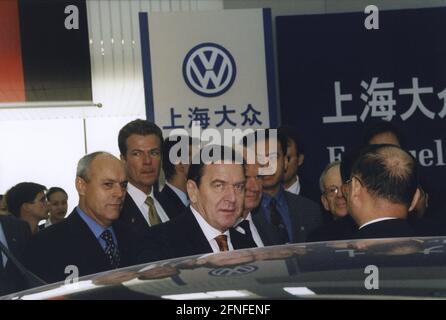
x=140, y=144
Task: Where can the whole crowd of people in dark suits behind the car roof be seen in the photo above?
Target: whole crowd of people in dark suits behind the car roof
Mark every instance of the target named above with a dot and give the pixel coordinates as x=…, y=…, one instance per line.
x=228, y=203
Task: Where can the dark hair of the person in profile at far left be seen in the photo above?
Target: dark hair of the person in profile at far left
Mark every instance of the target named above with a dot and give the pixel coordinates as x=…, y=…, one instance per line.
x=24, y=192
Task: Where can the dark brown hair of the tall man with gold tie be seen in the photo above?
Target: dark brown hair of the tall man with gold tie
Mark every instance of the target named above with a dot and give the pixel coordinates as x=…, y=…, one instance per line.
x=139, y=127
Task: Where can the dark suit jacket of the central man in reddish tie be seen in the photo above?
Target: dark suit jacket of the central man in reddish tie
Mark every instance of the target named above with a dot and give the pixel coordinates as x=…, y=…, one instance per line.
x=176, y=238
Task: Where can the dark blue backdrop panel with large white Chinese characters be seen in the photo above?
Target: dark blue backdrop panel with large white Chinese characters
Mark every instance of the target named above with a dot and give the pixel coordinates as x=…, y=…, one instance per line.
x=335, y=76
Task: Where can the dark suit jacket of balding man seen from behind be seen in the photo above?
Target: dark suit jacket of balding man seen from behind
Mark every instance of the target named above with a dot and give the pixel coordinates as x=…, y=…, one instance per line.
x=393, y=228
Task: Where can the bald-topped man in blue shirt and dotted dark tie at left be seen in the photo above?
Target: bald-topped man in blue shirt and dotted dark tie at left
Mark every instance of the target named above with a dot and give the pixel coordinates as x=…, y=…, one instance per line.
x=86, y=241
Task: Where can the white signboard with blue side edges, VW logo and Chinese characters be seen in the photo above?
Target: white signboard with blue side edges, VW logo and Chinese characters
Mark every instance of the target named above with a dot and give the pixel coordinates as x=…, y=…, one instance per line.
x=213, y=67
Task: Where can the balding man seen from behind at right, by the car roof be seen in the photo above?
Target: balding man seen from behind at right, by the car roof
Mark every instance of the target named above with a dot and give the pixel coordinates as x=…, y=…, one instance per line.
x=382, y=189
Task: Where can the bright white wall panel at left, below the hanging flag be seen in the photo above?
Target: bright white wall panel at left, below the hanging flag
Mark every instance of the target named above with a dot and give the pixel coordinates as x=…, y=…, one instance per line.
x=41, y=151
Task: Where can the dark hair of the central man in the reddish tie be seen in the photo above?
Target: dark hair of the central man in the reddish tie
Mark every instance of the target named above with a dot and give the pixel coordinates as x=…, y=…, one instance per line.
x=196, y=169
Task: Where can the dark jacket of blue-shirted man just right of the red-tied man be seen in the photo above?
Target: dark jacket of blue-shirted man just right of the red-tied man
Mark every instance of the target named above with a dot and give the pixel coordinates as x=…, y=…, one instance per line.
x=305, y=215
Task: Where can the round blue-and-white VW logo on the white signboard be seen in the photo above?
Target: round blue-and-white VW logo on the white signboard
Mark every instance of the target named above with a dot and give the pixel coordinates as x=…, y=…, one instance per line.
x=209, y=69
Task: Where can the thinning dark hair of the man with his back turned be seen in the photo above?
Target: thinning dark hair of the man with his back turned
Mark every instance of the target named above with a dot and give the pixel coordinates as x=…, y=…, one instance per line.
x=388, y=172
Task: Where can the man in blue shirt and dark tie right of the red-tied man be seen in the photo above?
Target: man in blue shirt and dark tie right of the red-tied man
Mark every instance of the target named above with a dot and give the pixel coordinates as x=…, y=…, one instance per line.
x=282, y=217
